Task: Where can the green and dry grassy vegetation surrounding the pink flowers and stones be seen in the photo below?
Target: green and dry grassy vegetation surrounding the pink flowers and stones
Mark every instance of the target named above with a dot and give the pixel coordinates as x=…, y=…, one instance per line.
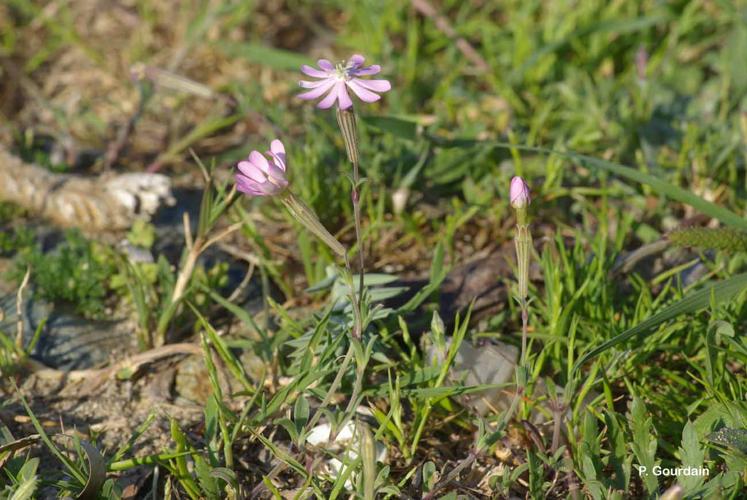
x=581, y=89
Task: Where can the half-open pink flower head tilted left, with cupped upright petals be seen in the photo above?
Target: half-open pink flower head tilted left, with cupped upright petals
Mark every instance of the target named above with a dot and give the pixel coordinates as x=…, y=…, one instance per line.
x=259, y=177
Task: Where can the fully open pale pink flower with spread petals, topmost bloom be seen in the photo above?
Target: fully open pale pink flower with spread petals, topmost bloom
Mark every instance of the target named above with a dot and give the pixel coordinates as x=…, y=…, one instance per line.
x=333, y=80
